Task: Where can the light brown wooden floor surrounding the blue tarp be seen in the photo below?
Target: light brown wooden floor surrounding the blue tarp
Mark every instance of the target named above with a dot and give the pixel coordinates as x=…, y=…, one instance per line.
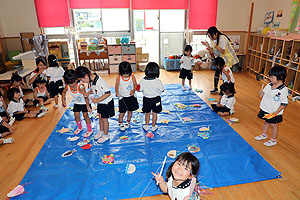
x=30, y=135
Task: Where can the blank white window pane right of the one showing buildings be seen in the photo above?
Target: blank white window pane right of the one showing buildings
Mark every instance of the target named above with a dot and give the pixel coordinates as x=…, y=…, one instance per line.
x=115, y=19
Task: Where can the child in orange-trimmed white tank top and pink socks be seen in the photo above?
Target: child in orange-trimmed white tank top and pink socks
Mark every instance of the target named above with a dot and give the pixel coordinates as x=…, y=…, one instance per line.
x=81, y=103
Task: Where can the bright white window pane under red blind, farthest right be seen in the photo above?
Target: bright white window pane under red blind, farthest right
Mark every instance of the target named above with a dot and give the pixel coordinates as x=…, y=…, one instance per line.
x=172, y=20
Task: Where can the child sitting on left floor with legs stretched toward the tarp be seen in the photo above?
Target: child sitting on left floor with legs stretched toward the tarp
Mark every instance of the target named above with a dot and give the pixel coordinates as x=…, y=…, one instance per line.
x=16, y=106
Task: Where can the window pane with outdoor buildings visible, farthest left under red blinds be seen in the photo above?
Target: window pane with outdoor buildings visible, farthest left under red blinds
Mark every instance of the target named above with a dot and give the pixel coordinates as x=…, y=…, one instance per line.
x=87, y=20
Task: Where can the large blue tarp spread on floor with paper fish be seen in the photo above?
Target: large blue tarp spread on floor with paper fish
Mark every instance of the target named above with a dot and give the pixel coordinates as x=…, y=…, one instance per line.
x=225, y=157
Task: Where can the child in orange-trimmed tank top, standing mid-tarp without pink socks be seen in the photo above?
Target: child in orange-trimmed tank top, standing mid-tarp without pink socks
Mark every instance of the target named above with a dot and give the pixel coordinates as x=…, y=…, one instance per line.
x=125, y=89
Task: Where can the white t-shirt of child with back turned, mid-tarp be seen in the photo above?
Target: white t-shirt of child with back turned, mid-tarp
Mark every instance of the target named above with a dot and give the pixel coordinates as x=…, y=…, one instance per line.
x=151, y=87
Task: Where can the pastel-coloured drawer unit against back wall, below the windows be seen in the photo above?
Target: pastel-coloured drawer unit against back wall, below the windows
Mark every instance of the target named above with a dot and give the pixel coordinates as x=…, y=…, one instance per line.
x=121, y=52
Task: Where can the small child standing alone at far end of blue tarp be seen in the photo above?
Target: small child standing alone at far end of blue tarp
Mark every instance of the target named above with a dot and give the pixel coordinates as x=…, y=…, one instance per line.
x=186, y=66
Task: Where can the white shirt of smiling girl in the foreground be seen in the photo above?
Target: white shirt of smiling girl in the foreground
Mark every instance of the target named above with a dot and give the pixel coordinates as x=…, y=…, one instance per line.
x=178, y=193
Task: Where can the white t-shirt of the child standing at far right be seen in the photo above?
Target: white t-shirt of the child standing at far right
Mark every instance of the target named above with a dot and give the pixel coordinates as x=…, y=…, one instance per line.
x=274, y=98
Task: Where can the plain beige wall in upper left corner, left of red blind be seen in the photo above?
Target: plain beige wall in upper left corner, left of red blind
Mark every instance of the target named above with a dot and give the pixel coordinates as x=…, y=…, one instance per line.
x=18, y=16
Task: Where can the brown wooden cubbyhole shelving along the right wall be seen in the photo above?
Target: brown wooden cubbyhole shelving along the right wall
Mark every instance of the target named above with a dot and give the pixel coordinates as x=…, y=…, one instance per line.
x=265, y=52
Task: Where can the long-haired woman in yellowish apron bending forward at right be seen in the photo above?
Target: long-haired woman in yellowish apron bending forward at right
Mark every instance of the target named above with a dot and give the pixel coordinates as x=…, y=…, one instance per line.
x=220, y=46
